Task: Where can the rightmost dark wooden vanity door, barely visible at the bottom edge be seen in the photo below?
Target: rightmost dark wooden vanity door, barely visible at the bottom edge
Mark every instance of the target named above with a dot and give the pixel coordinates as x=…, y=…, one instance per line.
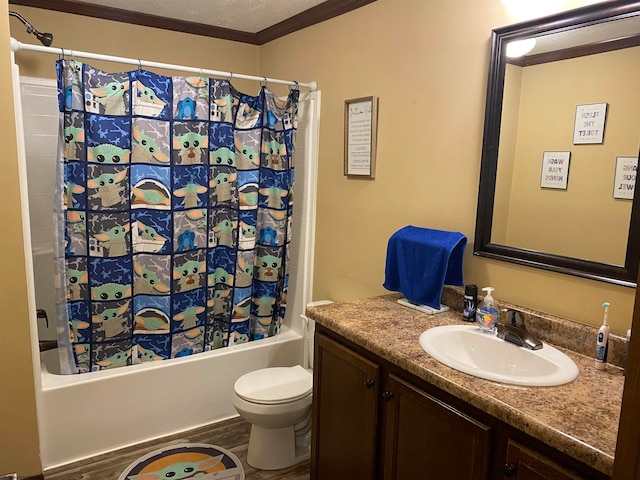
x=526, y=464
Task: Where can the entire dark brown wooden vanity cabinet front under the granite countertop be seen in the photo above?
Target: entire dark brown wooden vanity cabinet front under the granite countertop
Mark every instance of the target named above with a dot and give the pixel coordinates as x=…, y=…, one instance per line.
x=372, y=420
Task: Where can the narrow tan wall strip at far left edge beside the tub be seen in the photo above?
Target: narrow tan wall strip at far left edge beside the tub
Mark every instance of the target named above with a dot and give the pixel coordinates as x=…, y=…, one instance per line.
x=18, y=428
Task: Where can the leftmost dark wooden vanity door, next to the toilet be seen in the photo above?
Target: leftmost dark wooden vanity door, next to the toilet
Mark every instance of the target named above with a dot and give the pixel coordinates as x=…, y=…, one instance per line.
x=345, y=420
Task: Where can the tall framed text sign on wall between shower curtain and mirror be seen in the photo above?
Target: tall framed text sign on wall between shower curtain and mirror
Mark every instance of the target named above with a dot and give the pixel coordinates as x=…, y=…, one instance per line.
x=360, y=136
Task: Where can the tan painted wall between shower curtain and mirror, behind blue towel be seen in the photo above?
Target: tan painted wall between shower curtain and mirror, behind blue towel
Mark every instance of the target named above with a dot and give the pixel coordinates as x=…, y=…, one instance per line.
x=427, y=62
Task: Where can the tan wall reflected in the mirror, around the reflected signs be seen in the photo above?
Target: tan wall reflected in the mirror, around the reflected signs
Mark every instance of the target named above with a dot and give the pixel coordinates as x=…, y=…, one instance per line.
x=583, y=221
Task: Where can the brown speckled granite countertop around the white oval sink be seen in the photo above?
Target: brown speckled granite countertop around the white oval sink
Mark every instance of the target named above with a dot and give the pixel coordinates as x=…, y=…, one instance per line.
x=579, y=418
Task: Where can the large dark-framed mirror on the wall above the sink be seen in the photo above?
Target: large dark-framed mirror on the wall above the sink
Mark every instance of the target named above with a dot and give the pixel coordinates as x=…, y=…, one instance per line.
x=549, y=197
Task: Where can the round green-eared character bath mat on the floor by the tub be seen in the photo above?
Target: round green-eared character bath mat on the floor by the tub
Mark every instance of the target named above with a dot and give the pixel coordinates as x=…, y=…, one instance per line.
x=186, y=461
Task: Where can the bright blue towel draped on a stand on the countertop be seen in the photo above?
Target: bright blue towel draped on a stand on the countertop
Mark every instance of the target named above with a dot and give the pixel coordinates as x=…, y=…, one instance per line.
x=420, y=261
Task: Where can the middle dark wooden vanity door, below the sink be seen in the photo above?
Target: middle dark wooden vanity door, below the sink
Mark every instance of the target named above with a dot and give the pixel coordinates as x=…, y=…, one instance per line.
x=427, y=439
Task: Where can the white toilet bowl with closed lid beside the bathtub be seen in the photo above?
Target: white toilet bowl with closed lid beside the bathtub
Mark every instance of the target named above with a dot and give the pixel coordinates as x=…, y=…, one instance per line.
x=277, y=403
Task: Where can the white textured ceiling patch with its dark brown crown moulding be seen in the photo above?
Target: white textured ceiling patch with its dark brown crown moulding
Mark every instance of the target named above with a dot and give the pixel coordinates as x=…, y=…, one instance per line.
x=249, y=21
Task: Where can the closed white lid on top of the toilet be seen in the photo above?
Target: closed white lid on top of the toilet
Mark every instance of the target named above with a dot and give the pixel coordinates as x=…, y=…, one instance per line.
x=274, y=385
